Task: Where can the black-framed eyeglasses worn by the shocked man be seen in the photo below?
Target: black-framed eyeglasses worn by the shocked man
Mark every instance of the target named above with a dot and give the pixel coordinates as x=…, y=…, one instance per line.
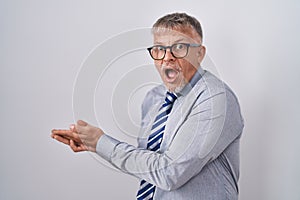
x=179, y=50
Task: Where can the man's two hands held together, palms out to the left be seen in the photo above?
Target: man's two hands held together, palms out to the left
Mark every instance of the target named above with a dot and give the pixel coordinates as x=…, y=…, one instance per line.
x=80, y=137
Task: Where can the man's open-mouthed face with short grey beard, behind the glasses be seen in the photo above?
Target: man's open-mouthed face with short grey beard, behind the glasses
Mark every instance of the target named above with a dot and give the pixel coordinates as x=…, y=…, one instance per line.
x=177, y=72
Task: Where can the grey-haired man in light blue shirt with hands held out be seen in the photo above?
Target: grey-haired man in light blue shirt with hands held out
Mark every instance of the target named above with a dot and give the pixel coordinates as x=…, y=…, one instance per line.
x=188, y=147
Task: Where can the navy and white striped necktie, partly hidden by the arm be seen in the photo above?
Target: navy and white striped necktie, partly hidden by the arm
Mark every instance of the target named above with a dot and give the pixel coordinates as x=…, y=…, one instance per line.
x=147, y=190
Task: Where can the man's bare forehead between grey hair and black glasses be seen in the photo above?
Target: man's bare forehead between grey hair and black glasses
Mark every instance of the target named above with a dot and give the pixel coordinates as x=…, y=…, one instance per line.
x=170, y=36
